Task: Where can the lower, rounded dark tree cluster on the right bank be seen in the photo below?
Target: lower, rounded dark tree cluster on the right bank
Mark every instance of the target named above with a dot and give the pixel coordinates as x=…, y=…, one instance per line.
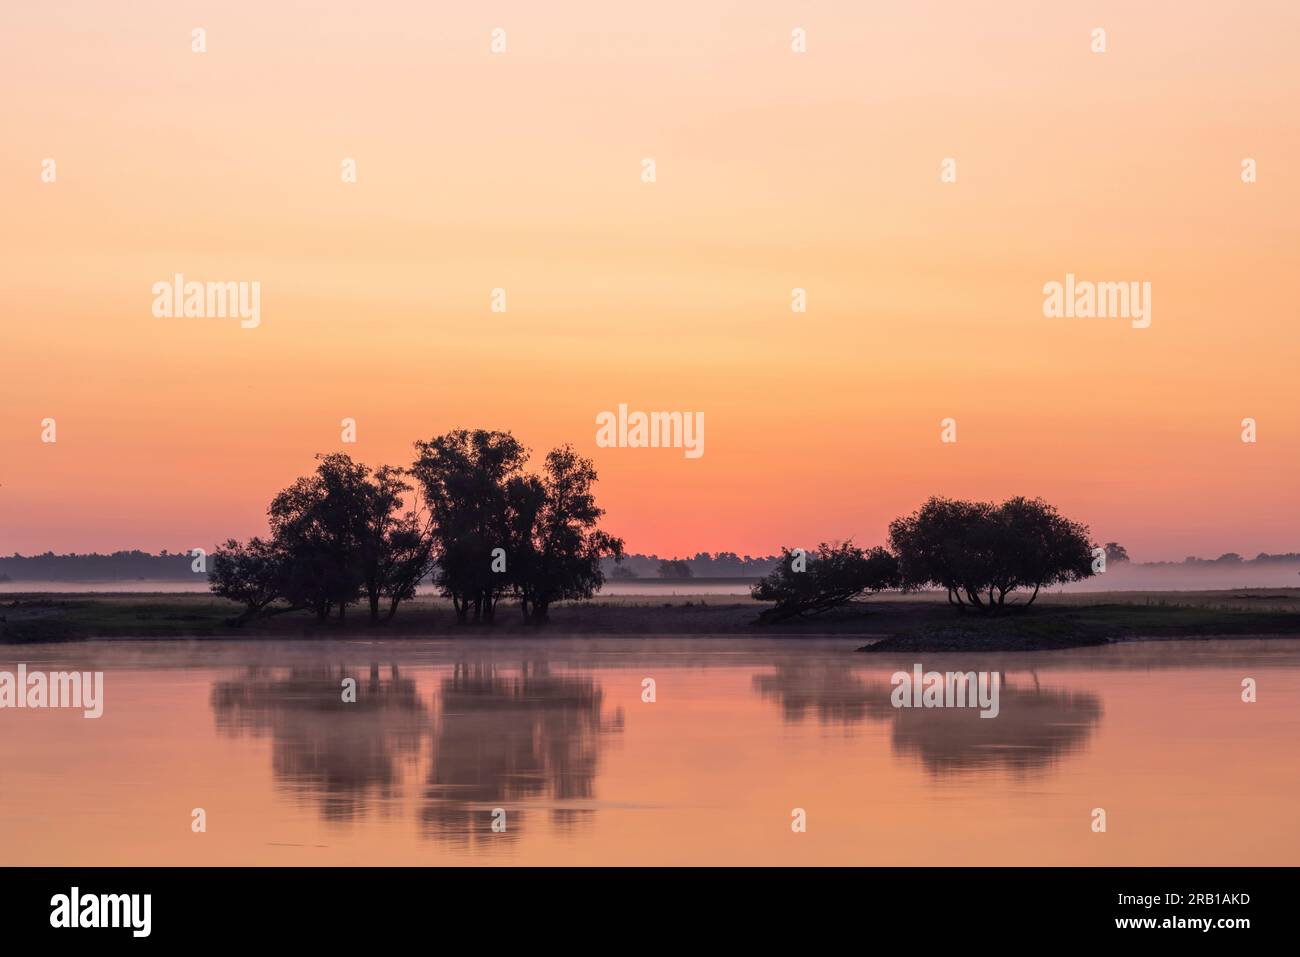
x=978, y=552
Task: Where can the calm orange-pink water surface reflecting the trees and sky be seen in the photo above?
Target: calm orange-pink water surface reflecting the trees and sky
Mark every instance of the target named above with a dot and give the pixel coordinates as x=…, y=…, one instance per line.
x=743, y=731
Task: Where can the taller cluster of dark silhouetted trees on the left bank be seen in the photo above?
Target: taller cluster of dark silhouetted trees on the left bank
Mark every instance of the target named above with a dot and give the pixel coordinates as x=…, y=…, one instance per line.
x=466, y=512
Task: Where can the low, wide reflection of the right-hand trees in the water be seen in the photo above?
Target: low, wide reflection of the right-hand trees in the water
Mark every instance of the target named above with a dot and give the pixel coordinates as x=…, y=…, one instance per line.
x=1034, y=730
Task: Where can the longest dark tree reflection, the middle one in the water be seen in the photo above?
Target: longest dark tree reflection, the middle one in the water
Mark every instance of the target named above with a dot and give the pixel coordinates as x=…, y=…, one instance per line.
x=508, y=738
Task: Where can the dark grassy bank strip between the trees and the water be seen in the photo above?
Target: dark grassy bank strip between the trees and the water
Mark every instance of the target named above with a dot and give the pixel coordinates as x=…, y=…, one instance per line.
x=894, y=623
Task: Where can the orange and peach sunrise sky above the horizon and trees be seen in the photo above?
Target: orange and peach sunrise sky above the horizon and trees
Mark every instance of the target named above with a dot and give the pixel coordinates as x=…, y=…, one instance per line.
x=774, y=171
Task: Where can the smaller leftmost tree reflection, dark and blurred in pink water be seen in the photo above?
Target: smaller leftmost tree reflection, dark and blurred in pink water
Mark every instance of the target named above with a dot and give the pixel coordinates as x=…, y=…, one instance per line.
x=346, y=756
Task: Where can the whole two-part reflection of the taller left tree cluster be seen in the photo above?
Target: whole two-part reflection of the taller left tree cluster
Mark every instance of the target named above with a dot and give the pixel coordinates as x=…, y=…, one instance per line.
x=502, y=738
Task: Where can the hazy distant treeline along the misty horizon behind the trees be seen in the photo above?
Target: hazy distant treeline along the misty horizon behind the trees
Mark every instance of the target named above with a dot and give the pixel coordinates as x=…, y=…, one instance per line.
x=176, y=566
